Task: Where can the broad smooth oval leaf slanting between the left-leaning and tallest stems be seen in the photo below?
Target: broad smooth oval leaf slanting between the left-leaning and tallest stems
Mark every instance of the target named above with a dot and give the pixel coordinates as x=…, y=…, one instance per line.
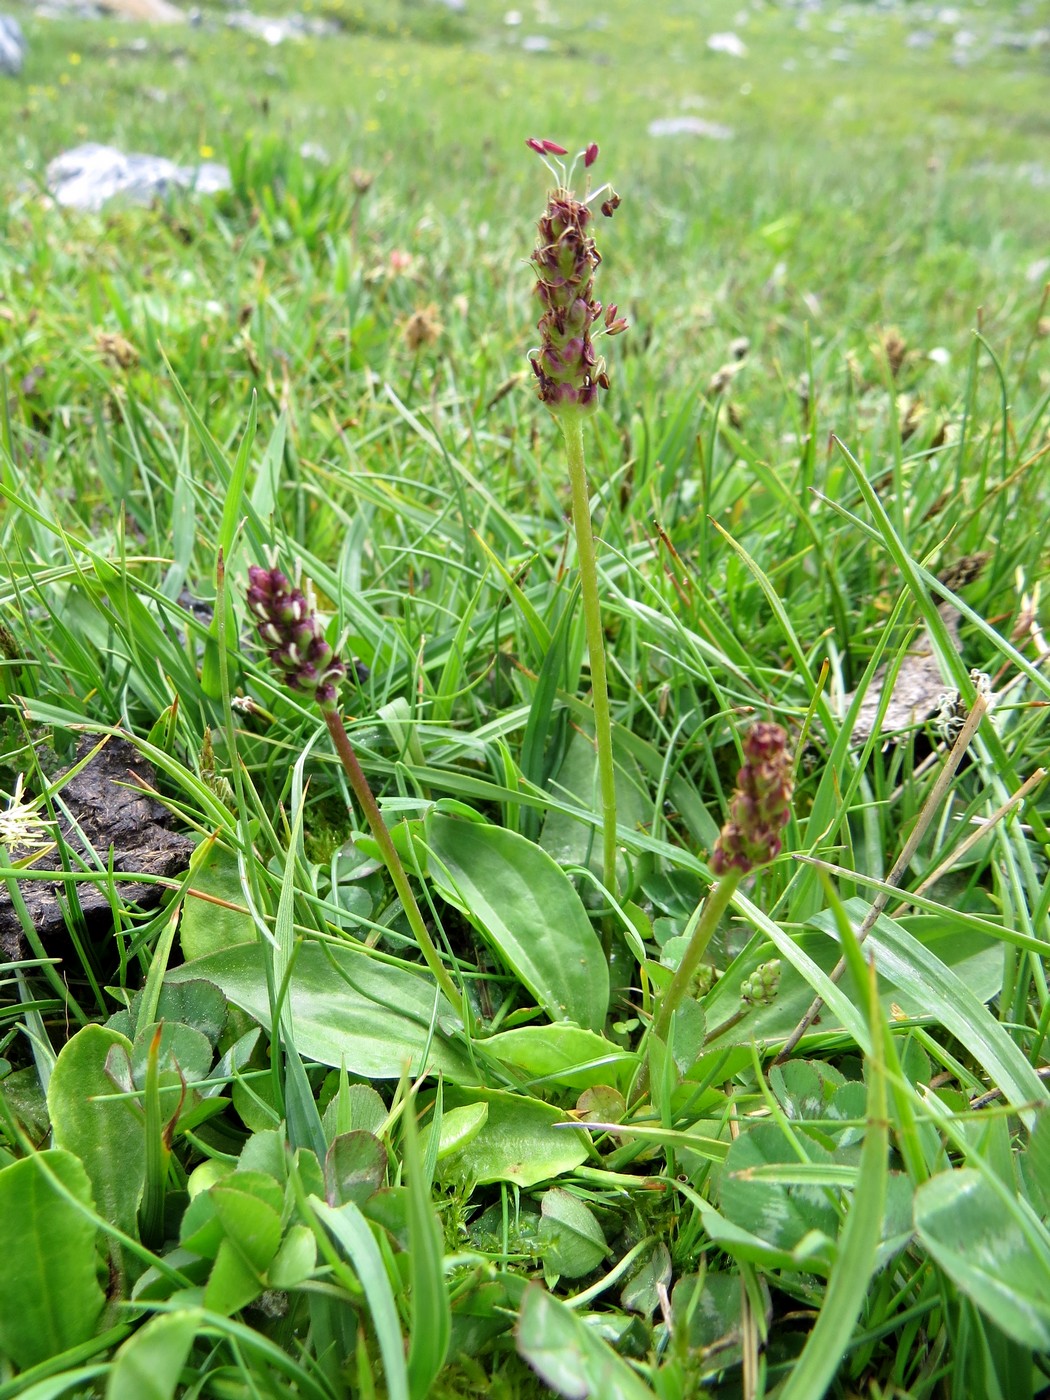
x=528, y=909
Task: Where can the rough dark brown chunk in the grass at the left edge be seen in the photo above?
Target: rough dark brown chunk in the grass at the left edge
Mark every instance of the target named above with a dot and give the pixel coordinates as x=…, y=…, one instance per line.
x=110, y=814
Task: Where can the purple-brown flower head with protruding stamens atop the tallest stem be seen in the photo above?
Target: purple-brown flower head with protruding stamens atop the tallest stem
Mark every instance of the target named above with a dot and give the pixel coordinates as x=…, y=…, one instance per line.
x=569, y=370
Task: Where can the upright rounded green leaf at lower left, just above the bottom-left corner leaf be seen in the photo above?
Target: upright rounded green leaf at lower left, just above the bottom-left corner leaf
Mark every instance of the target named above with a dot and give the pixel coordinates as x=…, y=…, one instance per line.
x=106, y=1133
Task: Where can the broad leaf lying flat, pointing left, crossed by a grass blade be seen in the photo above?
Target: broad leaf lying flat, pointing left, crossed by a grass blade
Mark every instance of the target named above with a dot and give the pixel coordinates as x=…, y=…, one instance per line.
x=346, y=1009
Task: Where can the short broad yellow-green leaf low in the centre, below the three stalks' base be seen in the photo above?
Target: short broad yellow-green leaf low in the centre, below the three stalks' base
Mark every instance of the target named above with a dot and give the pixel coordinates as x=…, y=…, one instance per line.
x=519, y=1142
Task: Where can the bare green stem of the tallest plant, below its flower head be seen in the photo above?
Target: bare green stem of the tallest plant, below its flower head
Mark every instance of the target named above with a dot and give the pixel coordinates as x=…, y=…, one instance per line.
x=573, y=430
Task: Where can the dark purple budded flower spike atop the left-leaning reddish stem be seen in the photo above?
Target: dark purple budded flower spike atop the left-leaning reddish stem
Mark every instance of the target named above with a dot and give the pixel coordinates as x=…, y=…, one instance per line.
x=295, y=642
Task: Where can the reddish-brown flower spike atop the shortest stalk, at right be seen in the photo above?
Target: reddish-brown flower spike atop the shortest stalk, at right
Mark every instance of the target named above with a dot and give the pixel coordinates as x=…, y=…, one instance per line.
x=761, y=806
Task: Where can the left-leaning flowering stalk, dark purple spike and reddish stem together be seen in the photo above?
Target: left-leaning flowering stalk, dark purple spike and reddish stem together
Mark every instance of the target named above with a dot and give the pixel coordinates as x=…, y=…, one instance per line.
x=297, y=649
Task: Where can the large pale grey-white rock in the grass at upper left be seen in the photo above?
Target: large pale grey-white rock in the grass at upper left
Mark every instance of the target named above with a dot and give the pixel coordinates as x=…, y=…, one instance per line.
x=90, y=176
